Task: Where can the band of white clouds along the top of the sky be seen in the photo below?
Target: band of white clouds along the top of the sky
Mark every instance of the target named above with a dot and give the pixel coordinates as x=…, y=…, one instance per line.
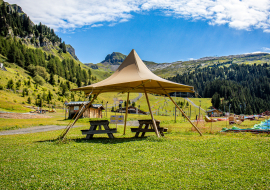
x=67, y=14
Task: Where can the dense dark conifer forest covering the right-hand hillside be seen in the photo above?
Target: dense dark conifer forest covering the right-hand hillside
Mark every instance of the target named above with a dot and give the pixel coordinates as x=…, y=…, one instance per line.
x=238, y=88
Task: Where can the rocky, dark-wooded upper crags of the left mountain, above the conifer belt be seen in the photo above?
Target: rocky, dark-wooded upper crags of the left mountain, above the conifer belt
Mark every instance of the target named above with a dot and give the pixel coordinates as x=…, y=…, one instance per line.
x=15, y=23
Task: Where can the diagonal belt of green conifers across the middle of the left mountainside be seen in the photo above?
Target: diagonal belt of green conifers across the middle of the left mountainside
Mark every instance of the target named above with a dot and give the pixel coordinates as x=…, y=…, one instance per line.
x=40, y=63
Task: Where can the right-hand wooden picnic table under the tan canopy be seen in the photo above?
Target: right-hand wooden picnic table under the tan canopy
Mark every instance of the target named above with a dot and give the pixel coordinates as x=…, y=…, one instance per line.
x=147, y=123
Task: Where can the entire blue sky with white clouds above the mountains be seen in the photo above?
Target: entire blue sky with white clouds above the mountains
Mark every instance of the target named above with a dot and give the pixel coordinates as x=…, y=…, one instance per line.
x=160, y=31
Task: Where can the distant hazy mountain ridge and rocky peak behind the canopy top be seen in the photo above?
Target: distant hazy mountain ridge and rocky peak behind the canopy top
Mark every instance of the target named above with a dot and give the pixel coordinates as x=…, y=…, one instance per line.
x=112, y=62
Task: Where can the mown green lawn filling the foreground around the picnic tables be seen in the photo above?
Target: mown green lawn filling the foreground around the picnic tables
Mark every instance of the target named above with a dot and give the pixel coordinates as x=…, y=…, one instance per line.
x=182, y=159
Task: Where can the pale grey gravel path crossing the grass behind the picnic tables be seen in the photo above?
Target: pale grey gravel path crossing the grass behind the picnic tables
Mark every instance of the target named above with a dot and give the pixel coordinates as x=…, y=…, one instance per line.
x=49, y=128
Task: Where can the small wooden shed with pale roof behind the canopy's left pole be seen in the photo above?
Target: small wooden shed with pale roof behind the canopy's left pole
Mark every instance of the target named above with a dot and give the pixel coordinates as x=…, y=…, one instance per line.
x=94, y=111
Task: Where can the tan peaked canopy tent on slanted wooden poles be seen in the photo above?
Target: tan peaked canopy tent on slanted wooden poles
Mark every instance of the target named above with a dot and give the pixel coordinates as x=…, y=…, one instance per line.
x=133, y=76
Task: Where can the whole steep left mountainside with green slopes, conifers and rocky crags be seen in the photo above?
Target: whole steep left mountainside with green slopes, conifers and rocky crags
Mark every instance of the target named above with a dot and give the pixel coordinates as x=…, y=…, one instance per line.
x=41, y=69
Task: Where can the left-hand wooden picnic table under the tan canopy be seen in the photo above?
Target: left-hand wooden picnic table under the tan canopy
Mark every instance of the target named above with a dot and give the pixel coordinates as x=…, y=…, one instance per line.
x=98, y=124
